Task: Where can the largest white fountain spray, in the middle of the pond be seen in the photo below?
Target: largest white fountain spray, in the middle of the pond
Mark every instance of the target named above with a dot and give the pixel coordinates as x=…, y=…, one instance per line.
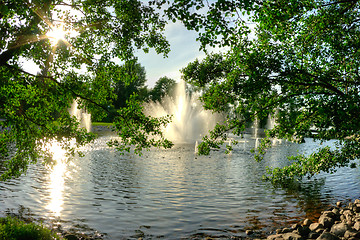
x=189, y=119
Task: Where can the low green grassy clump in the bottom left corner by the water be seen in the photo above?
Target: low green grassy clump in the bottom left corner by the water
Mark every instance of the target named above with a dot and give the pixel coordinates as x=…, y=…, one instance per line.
x=15, y=229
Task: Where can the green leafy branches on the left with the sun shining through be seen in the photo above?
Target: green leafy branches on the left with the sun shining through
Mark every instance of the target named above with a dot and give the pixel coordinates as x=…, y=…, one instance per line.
x=35, y=106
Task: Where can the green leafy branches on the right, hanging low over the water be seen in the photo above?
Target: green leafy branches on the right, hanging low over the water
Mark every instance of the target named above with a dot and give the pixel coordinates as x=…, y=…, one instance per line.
x=297, y=60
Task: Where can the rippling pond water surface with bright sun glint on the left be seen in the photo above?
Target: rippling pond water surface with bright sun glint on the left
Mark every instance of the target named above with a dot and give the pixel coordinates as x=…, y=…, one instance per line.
x=172, y=194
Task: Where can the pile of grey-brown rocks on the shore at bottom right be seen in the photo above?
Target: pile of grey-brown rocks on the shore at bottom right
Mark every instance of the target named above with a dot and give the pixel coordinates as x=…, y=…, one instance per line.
x=338, y=223
